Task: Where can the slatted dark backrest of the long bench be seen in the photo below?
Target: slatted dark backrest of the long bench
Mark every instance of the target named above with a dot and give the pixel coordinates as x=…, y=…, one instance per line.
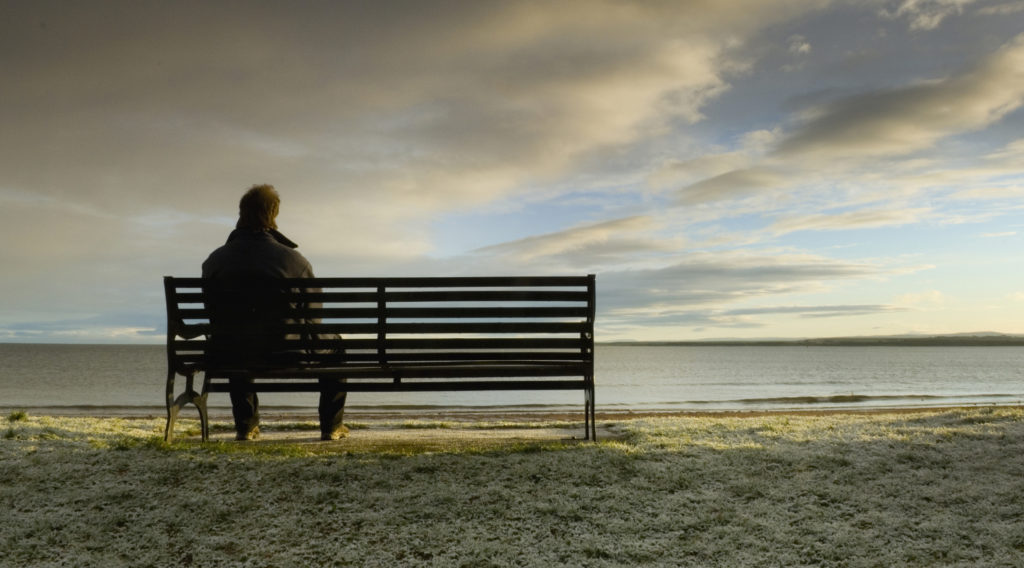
x=401, y=321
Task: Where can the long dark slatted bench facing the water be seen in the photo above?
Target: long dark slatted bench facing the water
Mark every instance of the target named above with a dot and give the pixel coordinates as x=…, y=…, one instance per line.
x=401, y=335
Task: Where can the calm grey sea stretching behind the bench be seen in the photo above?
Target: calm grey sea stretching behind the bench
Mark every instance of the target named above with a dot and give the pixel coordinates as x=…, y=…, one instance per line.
x=130, y=380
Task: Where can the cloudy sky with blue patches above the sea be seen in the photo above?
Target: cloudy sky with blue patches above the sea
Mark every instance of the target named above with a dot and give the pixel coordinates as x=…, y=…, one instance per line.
x=729, y=169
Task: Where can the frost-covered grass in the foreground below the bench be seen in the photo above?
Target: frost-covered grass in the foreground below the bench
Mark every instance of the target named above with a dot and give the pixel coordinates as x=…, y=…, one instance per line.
x=897, y=490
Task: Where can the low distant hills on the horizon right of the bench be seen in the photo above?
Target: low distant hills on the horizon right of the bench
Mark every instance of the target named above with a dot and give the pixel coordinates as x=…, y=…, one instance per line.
x=990, y=339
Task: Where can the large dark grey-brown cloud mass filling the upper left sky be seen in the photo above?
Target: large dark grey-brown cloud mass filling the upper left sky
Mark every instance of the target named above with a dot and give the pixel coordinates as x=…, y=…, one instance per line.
x=369, y=120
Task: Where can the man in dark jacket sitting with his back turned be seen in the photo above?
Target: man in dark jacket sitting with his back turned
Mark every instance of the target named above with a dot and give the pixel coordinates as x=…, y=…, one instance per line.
x=253, y=258
